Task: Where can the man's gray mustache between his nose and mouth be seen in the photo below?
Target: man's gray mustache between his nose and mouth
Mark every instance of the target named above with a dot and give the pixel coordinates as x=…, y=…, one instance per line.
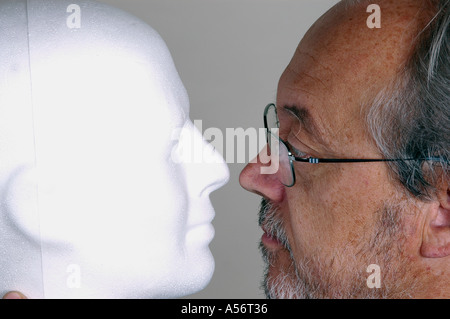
x=272, y=223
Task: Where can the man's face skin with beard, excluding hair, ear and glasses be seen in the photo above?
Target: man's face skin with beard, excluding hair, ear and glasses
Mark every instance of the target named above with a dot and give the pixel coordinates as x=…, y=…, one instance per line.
x=323, y=233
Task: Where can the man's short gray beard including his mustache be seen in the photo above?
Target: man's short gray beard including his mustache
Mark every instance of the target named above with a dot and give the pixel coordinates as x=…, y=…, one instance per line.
x=312, y=278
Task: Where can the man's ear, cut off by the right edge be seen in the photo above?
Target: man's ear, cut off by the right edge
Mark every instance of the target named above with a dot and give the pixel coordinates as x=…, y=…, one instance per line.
x=436, y=233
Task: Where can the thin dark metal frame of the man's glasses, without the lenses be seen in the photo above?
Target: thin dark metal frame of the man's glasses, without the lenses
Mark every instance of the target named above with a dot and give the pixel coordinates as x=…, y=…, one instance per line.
x=314, y=160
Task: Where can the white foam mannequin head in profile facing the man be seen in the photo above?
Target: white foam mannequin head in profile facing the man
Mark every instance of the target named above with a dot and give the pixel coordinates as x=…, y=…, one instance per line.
x=94, y=202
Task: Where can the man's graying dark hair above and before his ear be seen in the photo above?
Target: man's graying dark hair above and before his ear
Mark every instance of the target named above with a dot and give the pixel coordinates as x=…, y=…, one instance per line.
x=411, y=117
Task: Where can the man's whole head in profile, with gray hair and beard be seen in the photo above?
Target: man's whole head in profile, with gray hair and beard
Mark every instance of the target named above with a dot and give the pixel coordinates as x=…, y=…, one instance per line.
x=360, y=206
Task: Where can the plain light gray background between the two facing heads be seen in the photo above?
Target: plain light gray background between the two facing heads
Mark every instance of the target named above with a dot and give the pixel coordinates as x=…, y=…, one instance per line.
x=230, y=55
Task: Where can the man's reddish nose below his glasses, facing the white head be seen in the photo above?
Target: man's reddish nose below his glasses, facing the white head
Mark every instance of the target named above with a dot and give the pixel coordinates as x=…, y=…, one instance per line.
x=255, y=180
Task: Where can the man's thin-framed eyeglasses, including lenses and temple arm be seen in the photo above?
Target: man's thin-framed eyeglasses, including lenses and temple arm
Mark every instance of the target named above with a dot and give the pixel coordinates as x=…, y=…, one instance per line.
x=286, y=173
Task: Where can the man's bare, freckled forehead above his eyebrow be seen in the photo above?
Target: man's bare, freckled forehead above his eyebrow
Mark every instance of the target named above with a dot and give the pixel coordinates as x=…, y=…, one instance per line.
x=341, y=50
